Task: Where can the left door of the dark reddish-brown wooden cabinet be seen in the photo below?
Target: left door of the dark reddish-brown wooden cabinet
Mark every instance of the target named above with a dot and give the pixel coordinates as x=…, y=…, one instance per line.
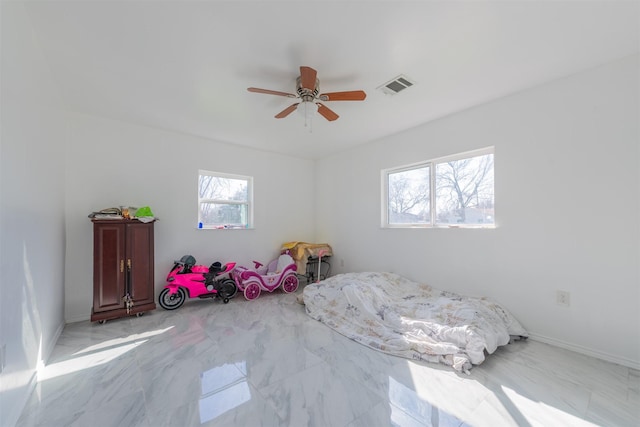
x=108, y=266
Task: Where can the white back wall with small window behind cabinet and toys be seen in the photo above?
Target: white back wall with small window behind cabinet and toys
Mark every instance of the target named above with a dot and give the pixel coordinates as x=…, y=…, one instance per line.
x=112, y=163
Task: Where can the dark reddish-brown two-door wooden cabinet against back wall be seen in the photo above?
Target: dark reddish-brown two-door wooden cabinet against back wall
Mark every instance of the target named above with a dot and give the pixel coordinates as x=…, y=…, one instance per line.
x=123, y=282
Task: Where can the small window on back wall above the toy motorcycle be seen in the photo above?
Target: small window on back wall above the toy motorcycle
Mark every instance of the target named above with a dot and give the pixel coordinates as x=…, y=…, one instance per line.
x=224, y=200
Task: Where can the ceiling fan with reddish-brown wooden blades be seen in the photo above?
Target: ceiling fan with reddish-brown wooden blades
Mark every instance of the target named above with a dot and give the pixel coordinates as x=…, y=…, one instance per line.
x=307, y=91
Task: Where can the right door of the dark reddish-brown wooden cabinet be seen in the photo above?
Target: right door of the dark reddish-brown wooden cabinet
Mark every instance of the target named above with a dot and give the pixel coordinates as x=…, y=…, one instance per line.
x=140, y=263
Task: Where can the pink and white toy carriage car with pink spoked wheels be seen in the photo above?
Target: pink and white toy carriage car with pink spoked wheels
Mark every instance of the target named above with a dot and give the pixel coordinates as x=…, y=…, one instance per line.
x=281, y=271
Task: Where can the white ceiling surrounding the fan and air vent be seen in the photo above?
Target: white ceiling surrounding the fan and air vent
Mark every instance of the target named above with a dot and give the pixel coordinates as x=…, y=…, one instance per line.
x=185, y=65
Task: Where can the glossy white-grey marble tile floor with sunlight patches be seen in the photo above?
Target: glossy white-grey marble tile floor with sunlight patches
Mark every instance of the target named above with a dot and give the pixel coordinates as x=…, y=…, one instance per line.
x=266, y=363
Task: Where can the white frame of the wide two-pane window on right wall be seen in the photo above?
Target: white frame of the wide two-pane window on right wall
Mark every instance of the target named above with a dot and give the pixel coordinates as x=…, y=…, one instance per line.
x=432, y=165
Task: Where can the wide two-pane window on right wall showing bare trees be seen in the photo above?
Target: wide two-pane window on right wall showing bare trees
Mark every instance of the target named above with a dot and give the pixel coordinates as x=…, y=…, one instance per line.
x=451, y=191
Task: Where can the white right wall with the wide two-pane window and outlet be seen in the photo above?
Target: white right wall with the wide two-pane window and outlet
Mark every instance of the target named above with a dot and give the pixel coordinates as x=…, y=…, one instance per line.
x=567, y=202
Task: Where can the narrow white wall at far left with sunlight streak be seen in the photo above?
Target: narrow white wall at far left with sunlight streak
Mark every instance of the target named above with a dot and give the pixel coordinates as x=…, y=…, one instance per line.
x=32, y=233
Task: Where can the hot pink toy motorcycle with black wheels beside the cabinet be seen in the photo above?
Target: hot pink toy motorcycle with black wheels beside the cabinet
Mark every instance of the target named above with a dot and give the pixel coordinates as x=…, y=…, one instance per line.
x=187, y=280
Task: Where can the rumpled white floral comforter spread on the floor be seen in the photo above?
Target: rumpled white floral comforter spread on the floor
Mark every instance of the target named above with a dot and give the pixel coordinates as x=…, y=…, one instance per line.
x=394, y=315
